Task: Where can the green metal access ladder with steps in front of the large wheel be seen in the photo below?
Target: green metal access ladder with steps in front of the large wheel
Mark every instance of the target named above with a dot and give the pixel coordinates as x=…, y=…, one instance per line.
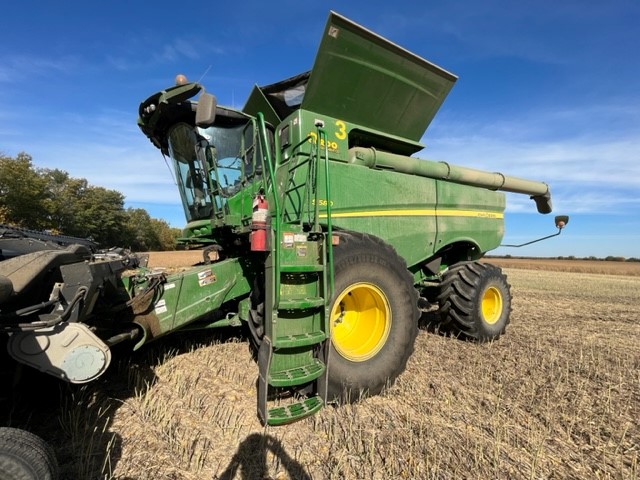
x=293, y=355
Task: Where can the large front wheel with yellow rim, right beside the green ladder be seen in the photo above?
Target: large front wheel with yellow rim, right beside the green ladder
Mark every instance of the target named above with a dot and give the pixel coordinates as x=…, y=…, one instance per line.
x=374, y=318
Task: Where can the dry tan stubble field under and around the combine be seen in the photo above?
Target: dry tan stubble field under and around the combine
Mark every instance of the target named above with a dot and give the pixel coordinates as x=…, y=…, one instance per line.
x=557, y=397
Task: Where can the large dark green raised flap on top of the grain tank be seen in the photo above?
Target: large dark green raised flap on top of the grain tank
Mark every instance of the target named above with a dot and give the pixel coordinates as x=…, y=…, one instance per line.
x=360, y=77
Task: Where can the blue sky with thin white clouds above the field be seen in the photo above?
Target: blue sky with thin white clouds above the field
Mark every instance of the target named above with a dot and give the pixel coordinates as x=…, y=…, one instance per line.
x=547, y=90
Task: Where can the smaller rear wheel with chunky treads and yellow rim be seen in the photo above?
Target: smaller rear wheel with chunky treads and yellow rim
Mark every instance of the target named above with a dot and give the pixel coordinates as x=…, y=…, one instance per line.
x=475, y=300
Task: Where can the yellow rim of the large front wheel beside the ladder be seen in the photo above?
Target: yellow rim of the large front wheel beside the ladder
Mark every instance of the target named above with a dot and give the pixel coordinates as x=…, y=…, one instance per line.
x=360, y=322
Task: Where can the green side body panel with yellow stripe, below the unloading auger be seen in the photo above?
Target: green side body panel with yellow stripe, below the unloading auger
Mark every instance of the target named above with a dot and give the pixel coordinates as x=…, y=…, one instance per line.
x=417, y=216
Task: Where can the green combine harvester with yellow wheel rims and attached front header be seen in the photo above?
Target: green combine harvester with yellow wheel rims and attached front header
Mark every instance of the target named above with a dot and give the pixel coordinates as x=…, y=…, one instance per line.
x=319, y=232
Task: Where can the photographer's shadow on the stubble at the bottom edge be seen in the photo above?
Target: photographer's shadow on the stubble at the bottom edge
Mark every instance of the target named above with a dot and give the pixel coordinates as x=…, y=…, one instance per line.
x=252, y=462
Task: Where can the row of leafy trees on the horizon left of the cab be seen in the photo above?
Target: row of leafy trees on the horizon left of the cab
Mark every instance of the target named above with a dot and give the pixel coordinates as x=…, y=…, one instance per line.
x=50, y=199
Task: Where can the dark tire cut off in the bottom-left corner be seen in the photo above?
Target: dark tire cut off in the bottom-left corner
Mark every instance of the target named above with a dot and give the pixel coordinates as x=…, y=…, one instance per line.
x=25, y=456
